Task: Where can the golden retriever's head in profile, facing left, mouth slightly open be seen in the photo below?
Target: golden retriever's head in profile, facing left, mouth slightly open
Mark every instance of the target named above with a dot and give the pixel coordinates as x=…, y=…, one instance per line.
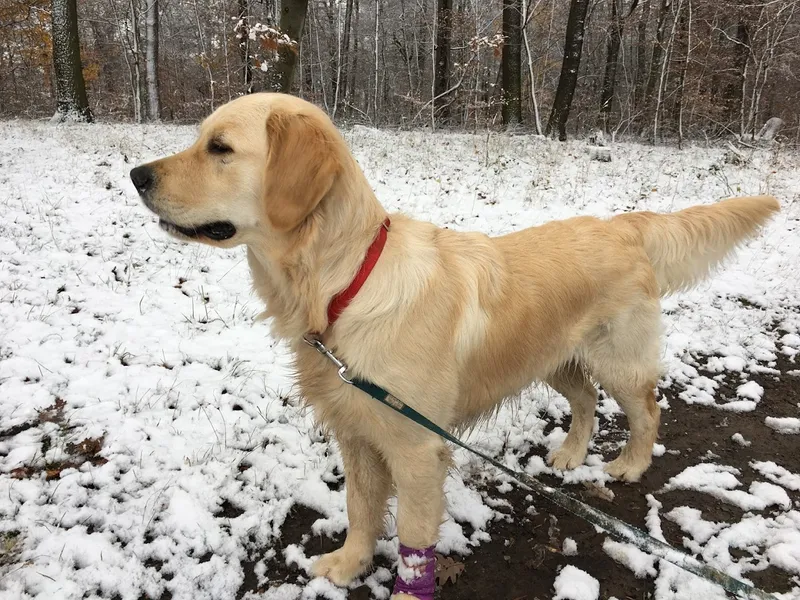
x=261, y=164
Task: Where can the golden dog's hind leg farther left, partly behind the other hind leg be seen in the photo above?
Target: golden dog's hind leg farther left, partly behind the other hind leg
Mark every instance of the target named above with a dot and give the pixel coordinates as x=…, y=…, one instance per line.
x=572, y=382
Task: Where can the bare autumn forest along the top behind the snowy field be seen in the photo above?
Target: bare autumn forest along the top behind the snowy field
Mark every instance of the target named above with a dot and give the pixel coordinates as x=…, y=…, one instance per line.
x=658, y=70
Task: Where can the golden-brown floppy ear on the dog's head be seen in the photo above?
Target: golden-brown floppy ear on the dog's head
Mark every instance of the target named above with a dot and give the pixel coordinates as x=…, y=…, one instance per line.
x=302, y=164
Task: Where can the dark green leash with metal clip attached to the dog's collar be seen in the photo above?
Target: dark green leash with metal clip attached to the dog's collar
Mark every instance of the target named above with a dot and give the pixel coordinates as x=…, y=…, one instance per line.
x=613, y=526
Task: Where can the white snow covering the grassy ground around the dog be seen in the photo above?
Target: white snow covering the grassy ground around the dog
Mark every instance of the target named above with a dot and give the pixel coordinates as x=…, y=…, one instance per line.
x=150, y=441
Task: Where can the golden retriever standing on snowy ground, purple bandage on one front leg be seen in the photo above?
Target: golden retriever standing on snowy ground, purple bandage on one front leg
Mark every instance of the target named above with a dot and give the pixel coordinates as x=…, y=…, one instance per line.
x=451, y=323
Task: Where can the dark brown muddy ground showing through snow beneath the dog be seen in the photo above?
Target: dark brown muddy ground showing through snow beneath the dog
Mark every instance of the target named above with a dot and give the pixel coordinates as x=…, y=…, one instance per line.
x=524, y=556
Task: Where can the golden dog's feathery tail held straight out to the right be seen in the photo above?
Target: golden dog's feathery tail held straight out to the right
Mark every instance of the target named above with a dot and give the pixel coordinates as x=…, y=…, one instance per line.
x=685, y=246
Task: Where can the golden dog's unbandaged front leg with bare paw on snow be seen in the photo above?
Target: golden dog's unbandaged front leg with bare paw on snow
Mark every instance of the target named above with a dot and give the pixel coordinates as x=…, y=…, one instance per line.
x=368, y=484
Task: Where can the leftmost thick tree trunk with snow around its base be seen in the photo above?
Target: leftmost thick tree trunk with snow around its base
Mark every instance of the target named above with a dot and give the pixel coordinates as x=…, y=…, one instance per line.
x=71, y=100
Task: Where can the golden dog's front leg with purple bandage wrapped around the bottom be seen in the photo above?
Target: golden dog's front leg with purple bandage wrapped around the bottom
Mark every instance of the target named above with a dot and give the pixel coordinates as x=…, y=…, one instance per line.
x=418, y=470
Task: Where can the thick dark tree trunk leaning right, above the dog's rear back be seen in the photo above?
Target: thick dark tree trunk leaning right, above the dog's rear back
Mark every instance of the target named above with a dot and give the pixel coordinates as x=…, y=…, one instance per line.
x=573, y=48
